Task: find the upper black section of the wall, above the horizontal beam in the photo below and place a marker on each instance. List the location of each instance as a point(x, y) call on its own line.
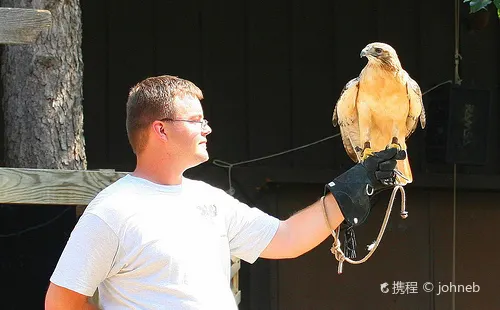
point(271, 72)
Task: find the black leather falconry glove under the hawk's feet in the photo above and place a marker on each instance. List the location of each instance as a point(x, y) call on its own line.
point(354, 188)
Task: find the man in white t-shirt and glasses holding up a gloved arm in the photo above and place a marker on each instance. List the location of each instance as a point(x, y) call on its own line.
point(157, 240)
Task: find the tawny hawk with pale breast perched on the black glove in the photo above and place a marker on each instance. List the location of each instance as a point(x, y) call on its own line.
point(379, 108)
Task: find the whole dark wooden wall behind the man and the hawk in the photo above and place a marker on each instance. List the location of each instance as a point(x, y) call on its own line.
point(271, 72)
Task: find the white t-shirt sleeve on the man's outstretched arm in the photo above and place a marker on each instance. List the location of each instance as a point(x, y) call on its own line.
point(249, 230)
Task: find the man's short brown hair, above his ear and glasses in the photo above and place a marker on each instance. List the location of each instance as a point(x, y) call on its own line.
point(155, 99)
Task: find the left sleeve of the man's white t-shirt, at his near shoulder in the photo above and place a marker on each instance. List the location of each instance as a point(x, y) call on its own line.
point(87, 257)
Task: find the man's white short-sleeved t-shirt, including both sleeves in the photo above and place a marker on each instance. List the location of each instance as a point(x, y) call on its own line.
point(151, 246)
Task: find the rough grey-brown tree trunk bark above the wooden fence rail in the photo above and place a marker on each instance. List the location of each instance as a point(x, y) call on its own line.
point(42, 92)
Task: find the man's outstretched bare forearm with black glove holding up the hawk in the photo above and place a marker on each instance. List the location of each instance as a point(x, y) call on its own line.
point(348, 201)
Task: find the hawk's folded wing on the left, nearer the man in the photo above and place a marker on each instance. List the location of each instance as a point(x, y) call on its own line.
point(345, 115)
